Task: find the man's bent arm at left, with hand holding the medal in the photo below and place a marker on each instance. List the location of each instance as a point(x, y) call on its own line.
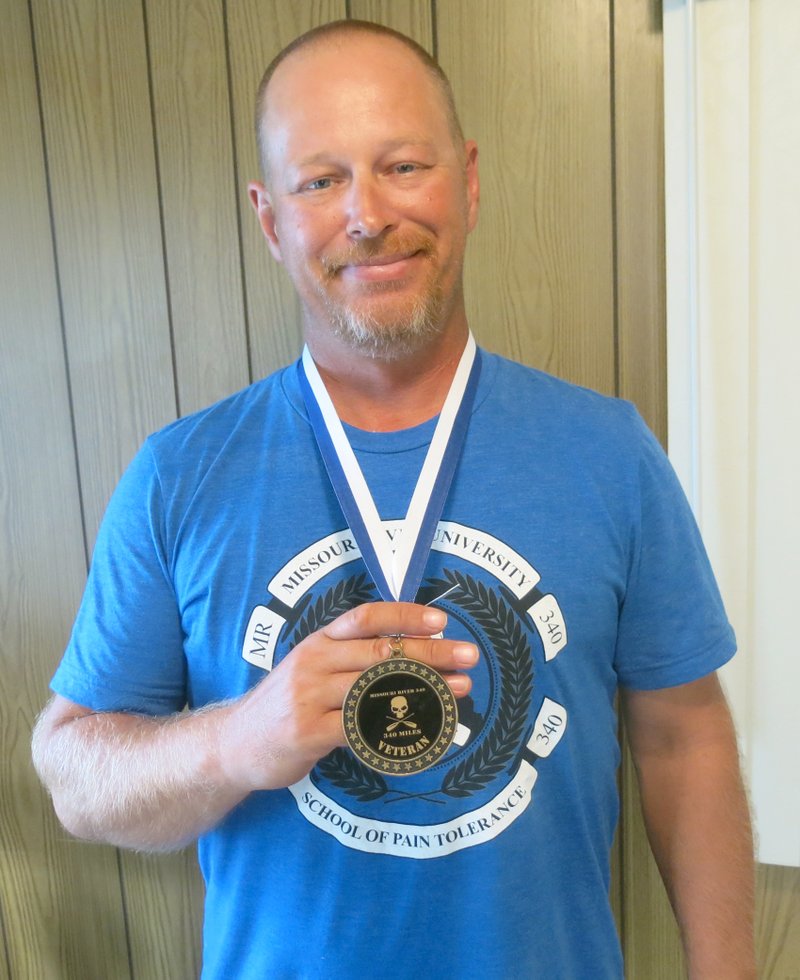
point(156, 784)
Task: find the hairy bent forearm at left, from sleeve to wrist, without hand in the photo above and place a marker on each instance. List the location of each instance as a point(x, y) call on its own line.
point(136, 781)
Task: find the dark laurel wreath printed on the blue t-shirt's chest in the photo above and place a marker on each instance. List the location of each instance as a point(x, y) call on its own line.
point(502, 629)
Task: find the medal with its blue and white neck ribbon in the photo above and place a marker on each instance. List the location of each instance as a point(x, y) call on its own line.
point(400, 716)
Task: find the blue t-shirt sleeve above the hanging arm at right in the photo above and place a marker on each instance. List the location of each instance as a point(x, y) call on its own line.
point(672, 628)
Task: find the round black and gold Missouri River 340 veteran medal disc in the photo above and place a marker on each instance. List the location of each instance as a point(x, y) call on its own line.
point(400, 716)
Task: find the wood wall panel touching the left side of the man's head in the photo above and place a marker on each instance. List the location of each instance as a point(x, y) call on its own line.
point(257, 30)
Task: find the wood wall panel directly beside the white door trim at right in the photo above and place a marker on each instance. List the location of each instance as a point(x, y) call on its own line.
point(650, 937)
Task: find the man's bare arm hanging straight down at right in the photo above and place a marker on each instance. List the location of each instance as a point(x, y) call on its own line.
point(697, 819)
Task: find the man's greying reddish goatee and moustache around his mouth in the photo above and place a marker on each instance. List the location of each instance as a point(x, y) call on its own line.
point(394, 328)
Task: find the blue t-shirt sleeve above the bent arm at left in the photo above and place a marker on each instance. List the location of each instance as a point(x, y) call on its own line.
point(126, 648)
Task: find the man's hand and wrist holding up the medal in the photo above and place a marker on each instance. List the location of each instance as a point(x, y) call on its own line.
point(273, 736)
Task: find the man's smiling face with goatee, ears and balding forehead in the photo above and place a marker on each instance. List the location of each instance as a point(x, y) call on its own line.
point(370, 196)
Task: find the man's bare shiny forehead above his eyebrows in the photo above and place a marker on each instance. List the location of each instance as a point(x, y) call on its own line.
point(373, 87)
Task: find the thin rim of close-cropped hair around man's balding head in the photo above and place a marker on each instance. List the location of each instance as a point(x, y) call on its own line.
point(336, 35)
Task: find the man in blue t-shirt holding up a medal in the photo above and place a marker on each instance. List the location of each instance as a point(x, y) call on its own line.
point(560, 562)
